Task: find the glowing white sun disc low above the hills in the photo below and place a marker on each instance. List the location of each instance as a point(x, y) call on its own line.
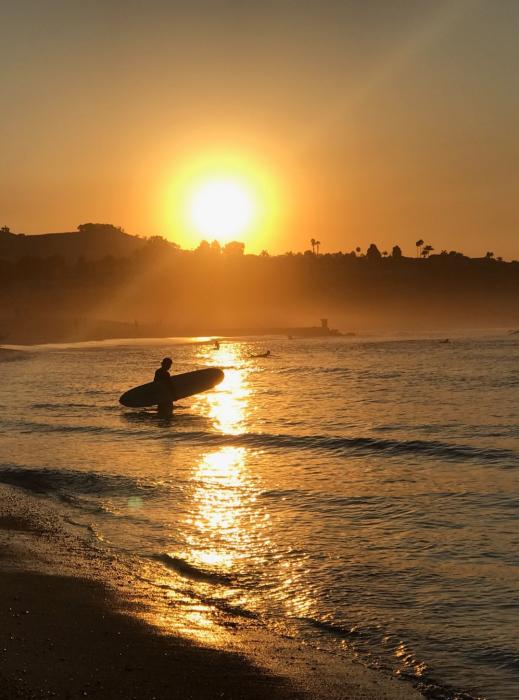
point(221, 208)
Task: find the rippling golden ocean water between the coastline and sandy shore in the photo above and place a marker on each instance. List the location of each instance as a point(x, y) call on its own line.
point(361, 494)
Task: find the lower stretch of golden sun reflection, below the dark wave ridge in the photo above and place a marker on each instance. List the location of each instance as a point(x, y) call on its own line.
point(216, 536)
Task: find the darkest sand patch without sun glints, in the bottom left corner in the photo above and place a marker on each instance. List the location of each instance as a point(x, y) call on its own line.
point(71, 638)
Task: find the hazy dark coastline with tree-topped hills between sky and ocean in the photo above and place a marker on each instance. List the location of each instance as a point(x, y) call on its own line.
point(70, 286)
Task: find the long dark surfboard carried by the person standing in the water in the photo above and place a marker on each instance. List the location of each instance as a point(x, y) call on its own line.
point(182, 386)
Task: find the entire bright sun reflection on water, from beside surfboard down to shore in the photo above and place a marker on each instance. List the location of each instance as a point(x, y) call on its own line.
point(226, 533)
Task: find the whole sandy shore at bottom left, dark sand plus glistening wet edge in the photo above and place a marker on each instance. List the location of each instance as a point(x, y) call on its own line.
point(75, 622)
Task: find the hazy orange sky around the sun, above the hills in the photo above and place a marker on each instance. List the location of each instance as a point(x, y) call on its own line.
point(356, 121)
